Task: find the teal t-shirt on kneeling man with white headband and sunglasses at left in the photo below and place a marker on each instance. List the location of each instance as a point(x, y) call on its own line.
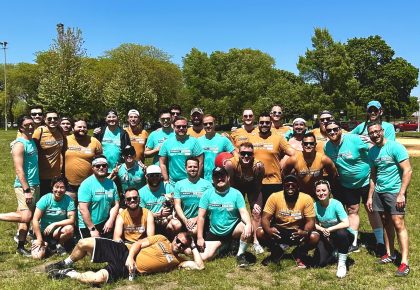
point(101, 197)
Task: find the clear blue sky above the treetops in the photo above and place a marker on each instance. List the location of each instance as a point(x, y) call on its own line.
point(282, 29)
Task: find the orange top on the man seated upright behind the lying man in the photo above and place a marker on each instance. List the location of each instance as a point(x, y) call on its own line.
point(134, 230)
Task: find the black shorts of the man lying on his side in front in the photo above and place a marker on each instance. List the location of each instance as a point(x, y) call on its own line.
point(113, 253)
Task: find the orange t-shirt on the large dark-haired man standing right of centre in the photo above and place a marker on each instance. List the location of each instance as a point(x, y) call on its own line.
point(268, 151)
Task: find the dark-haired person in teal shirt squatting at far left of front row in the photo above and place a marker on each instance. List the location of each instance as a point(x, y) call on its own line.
point(53, 222)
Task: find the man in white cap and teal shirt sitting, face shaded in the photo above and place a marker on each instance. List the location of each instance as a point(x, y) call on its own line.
point(157, 197)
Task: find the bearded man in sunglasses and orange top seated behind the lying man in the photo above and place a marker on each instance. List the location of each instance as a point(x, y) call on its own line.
point(134, 222)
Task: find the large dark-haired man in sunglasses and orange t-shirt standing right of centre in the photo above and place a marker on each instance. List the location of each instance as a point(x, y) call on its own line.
point(268, 148)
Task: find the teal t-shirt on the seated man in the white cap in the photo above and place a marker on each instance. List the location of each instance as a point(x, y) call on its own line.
point(153, 200)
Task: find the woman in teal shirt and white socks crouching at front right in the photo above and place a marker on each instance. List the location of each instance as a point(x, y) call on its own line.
point(332, 224)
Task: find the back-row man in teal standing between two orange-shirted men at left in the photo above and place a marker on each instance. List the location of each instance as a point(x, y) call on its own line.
point(113, 139)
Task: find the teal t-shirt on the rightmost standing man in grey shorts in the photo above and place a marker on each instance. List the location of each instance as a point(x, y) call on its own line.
point(386, 159)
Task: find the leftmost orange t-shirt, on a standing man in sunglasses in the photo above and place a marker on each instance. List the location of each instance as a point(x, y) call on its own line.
point(49, 155)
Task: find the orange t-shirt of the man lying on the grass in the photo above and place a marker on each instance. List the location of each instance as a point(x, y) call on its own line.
point(157, 257)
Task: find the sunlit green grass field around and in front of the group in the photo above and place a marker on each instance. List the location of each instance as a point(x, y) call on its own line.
point(17, 272)
